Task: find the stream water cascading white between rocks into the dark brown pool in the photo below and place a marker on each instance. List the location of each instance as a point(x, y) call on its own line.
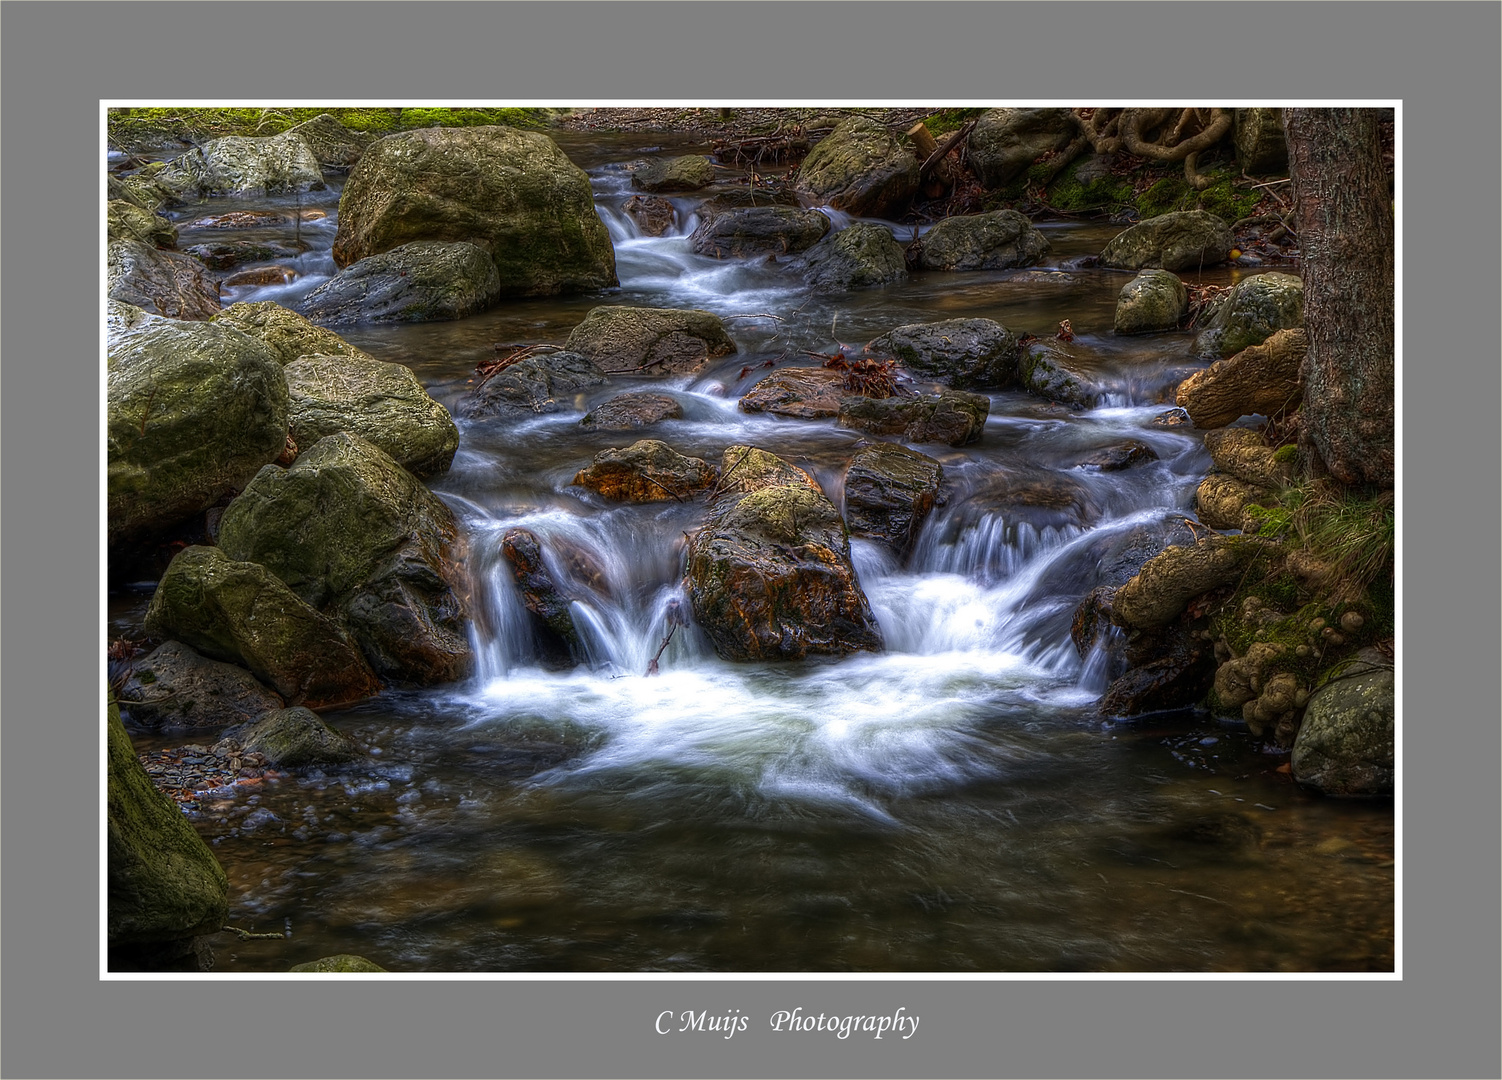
point(955, 804)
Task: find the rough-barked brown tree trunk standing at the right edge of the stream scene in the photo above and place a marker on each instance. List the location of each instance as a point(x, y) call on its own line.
point(1344, 211)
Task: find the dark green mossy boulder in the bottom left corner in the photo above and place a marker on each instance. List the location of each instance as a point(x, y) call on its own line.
point(164, 884)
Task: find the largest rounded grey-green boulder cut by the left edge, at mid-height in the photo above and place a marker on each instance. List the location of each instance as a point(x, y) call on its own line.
point(195, 411)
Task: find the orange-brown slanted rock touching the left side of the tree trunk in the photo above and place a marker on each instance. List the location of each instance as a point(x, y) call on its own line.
point(1262, 381)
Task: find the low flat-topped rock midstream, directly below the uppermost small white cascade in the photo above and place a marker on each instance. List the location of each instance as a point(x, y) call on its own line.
point(653, 342)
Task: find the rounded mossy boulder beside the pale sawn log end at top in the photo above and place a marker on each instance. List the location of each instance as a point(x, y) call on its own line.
point(861, 169)
